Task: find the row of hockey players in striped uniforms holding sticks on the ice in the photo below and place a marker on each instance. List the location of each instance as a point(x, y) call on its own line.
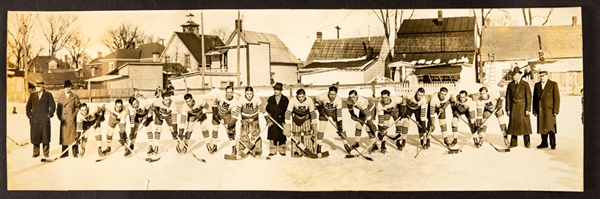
point(306, 120)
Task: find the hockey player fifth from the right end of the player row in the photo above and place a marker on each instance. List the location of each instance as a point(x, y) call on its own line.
point(388, 108)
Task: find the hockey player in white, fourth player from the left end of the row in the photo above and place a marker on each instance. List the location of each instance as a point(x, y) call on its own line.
point(164, 109)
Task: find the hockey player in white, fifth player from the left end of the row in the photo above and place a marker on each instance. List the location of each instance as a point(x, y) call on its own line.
point(191, 112)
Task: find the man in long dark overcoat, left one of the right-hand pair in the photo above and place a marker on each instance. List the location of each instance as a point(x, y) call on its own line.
point(518, 108)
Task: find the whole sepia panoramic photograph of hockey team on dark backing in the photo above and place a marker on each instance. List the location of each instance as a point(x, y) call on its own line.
point(465, 99)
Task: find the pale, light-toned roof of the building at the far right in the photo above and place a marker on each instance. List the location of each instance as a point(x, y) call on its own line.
point(521, 42)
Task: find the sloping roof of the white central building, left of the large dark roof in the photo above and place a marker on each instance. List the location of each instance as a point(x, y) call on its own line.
point(345, 48)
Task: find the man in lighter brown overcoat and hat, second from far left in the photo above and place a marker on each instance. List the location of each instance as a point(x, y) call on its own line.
point(67, 107)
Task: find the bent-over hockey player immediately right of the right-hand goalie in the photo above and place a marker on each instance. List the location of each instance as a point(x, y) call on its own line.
point(329, 104)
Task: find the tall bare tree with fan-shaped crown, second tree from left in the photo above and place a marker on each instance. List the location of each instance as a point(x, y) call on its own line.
point(58, 30)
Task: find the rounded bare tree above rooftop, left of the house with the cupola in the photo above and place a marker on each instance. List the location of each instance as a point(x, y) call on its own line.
point(124, 36)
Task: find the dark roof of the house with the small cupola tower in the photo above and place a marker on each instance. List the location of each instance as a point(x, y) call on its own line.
point(193, 43)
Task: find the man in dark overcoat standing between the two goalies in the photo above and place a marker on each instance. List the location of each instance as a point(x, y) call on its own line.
point(276, 106)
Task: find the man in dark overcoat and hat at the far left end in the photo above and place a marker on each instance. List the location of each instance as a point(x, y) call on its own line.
point(39, 109)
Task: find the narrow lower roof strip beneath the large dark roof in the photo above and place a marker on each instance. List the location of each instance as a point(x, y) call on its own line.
point(444, 57)
